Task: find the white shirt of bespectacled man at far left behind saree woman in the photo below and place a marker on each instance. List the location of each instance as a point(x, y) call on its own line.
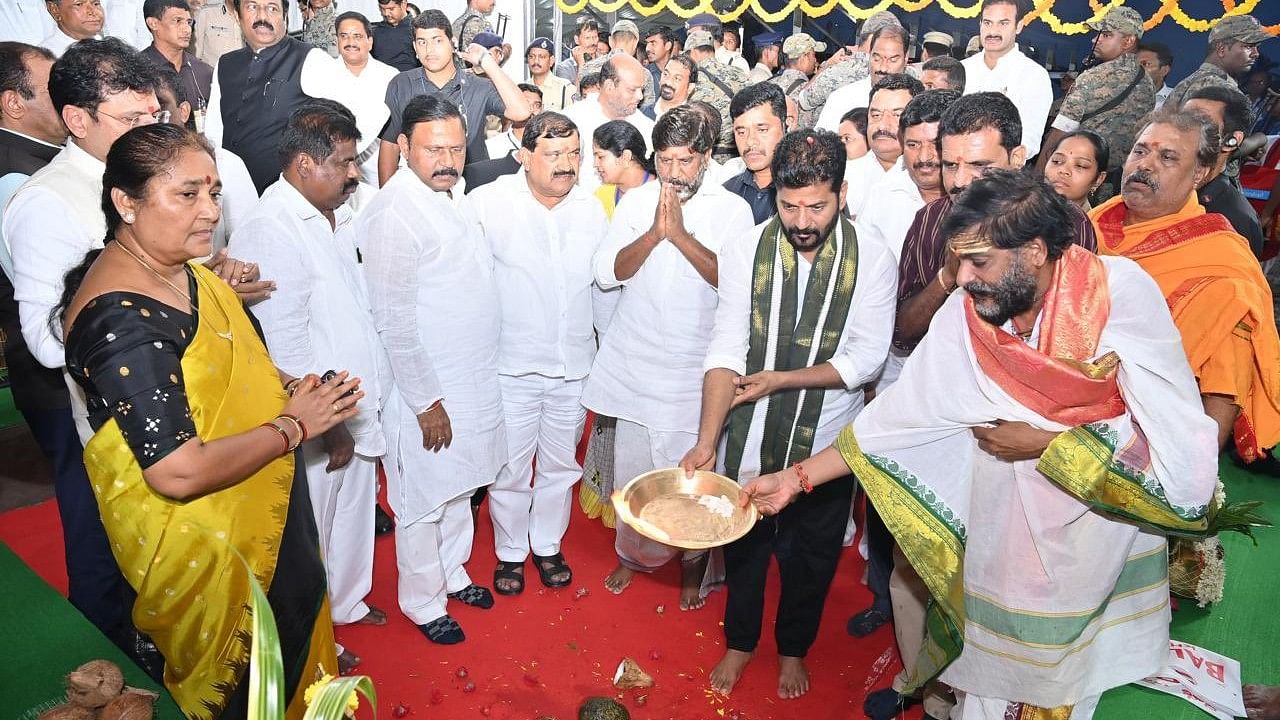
point(51, 225)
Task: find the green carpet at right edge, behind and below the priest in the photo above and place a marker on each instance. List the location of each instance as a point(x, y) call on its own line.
point(1241, 627)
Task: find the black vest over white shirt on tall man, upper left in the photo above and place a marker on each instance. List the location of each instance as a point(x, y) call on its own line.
point(259, 93)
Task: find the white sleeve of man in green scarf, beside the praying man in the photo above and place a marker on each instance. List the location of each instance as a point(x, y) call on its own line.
point(732, 336)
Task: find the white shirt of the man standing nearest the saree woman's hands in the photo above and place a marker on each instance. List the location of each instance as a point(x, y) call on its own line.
point(318, 318)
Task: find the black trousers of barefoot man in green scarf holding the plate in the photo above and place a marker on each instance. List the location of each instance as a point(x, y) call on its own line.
point(807, 540)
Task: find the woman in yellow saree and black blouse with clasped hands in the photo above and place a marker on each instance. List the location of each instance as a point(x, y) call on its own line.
point(193, 458)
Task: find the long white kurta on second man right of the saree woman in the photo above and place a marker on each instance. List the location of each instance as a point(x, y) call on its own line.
point(436, 308)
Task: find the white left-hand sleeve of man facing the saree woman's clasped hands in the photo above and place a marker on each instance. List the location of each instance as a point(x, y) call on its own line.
point(286, 316)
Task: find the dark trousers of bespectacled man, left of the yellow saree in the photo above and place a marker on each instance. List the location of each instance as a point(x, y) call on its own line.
point(94, 580)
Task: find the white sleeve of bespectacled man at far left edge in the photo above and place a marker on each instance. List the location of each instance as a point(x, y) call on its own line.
point(45, 240)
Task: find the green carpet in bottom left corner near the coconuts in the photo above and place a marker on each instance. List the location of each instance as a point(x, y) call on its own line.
point(47, 639)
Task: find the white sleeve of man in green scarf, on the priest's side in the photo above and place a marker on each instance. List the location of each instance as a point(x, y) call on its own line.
point(870, 327)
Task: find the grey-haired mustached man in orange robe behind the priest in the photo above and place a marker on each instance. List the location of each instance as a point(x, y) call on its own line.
point(1220, 300)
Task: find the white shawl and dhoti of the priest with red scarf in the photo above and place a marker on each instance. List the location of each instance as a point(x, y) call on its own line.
point(1062, 601)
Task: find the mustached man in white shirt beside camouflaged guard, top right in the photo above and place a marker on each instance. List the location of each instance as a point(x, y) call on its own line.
point(1003, 69)
